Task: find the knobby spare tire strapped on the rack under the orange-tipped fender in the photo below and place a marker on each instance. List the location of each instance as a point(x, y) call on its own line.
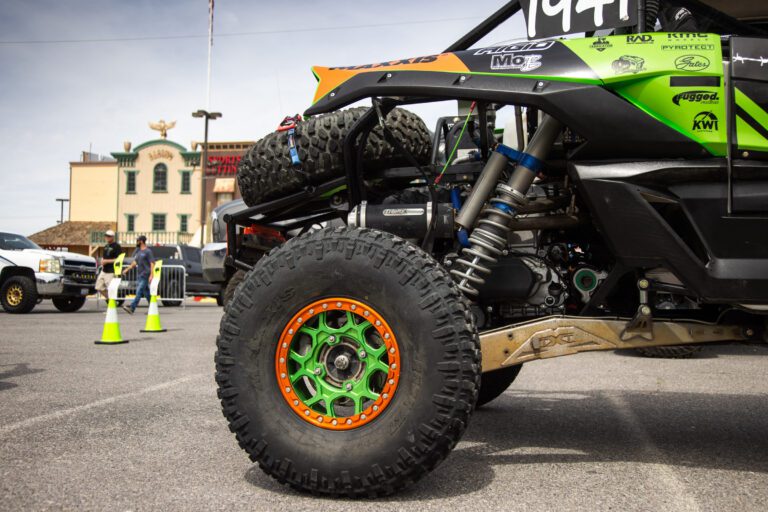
point(265, 172)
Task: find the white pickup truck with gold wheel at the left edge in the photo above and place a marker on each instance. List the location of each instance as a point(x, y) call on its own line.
point(29, 274)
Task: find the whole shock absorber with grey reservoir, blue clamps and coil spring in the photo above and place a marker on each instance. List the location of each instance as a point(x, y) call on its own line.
point(488, 239)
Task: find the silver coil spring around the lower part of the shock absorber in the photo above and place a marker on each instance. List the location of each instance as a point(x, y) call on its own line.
point(487, 241)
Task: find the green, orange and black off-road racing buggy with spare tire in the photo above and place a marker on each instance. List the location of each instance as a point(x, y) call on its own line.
point(625, 205)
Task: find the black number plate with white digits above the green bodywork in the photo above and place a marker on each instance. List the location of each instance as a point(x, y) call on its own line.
point(547, 18)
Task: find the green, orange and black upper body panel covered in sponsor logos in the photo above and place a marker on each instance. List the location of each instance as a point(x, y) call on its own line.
point(676, 78)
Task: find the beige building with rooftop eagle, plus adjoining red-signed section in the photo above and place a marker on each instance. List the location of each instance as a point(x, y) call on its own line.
point(153, 189)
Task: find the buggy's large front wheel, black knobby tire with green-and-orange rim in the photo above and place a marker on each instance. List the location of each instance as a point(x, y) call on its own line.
point(347, 363)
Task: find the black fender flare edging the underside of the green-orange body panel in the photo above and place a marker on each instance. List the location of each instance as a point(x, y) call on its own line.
point(623, 131)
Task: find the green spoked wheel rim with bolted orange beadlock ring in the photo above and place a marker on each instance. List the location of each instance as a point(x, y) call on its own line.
point(337, 364)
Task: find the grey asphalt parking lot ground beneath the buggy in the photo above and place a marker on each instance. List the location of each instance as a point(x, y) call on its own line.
point(138, 427)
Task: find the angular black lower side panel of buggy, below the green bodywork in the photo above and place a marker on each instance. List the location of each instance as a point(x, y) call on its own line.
point(719, 258)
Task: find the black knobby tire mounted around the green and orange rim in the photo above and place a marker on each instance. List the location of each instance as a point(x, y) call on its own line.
point(439, 361)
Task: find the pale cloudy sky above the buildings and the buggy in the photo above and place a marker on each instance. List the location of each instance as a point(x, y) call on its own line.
point(86, 74)
